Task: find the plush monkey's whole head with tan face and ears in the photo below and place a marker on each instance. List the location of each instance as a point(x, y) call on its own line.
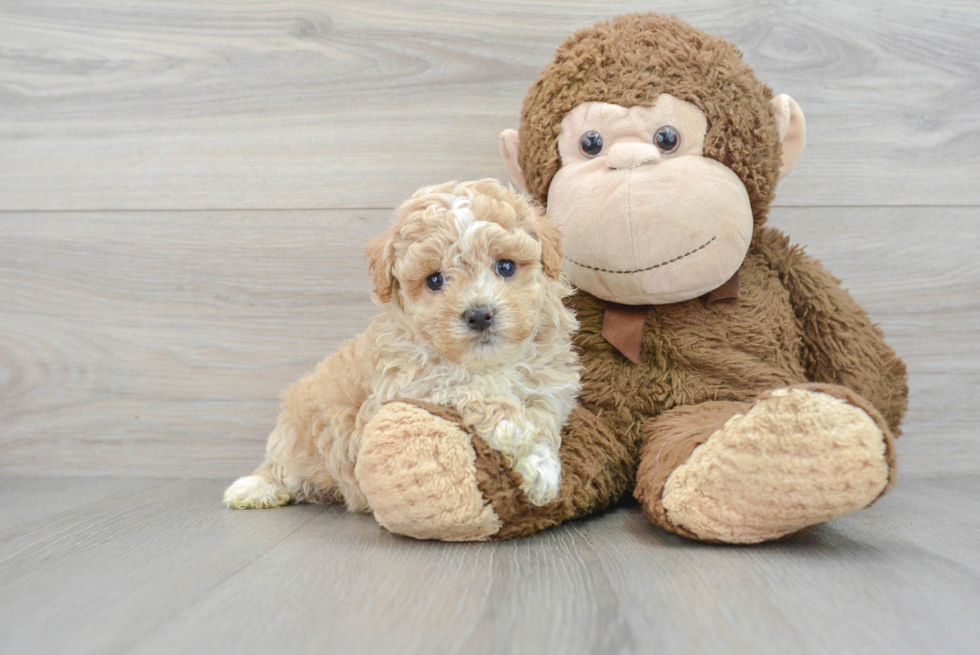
point(656, 151)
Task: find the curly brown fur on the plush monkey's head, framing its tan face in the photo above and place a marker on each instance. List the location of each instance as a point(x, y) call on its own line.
point(632, 59)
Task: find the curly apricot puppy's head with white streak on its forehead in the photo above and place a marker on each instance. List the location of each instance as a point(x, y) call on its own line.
point(471, 269)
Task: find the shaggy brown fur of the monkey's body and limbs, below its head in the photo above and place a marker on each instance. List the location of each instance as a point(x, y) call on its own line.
point(703, 359)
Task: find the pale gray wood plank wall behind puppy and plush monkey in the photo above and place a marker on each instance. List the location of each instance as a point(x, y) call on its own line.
point(185, 188)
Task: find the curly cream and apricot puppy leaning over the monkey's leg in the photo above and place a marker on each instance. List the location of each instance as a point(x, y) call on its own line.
point(469, 285)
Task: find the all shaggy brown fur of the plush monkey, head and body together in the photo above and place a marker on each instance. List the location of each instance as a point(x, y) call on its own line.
point(792, 324)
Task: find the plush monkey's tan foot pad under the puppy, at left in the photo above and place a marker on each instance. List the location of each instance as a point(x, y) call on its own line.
point(417, 471)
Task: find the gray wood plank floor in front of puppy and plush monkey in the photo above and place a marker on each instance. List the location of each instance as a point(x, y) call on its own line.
point(159, 566)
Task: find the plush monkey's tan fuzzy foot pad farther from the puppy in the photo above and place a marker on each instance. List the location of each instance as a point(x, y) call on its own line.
point(798, 457)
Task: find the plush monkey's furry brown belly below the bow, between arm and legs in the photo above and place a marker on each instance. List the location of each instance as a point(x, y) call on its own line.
point(694, 351)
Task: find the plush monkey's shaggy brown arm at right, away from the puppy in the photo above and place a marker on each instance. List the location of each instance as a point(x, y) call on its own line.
point(840, 343)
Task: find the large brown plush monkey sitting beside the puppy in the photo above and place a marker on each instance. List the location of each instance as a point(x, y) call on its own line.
point(729, 382)
